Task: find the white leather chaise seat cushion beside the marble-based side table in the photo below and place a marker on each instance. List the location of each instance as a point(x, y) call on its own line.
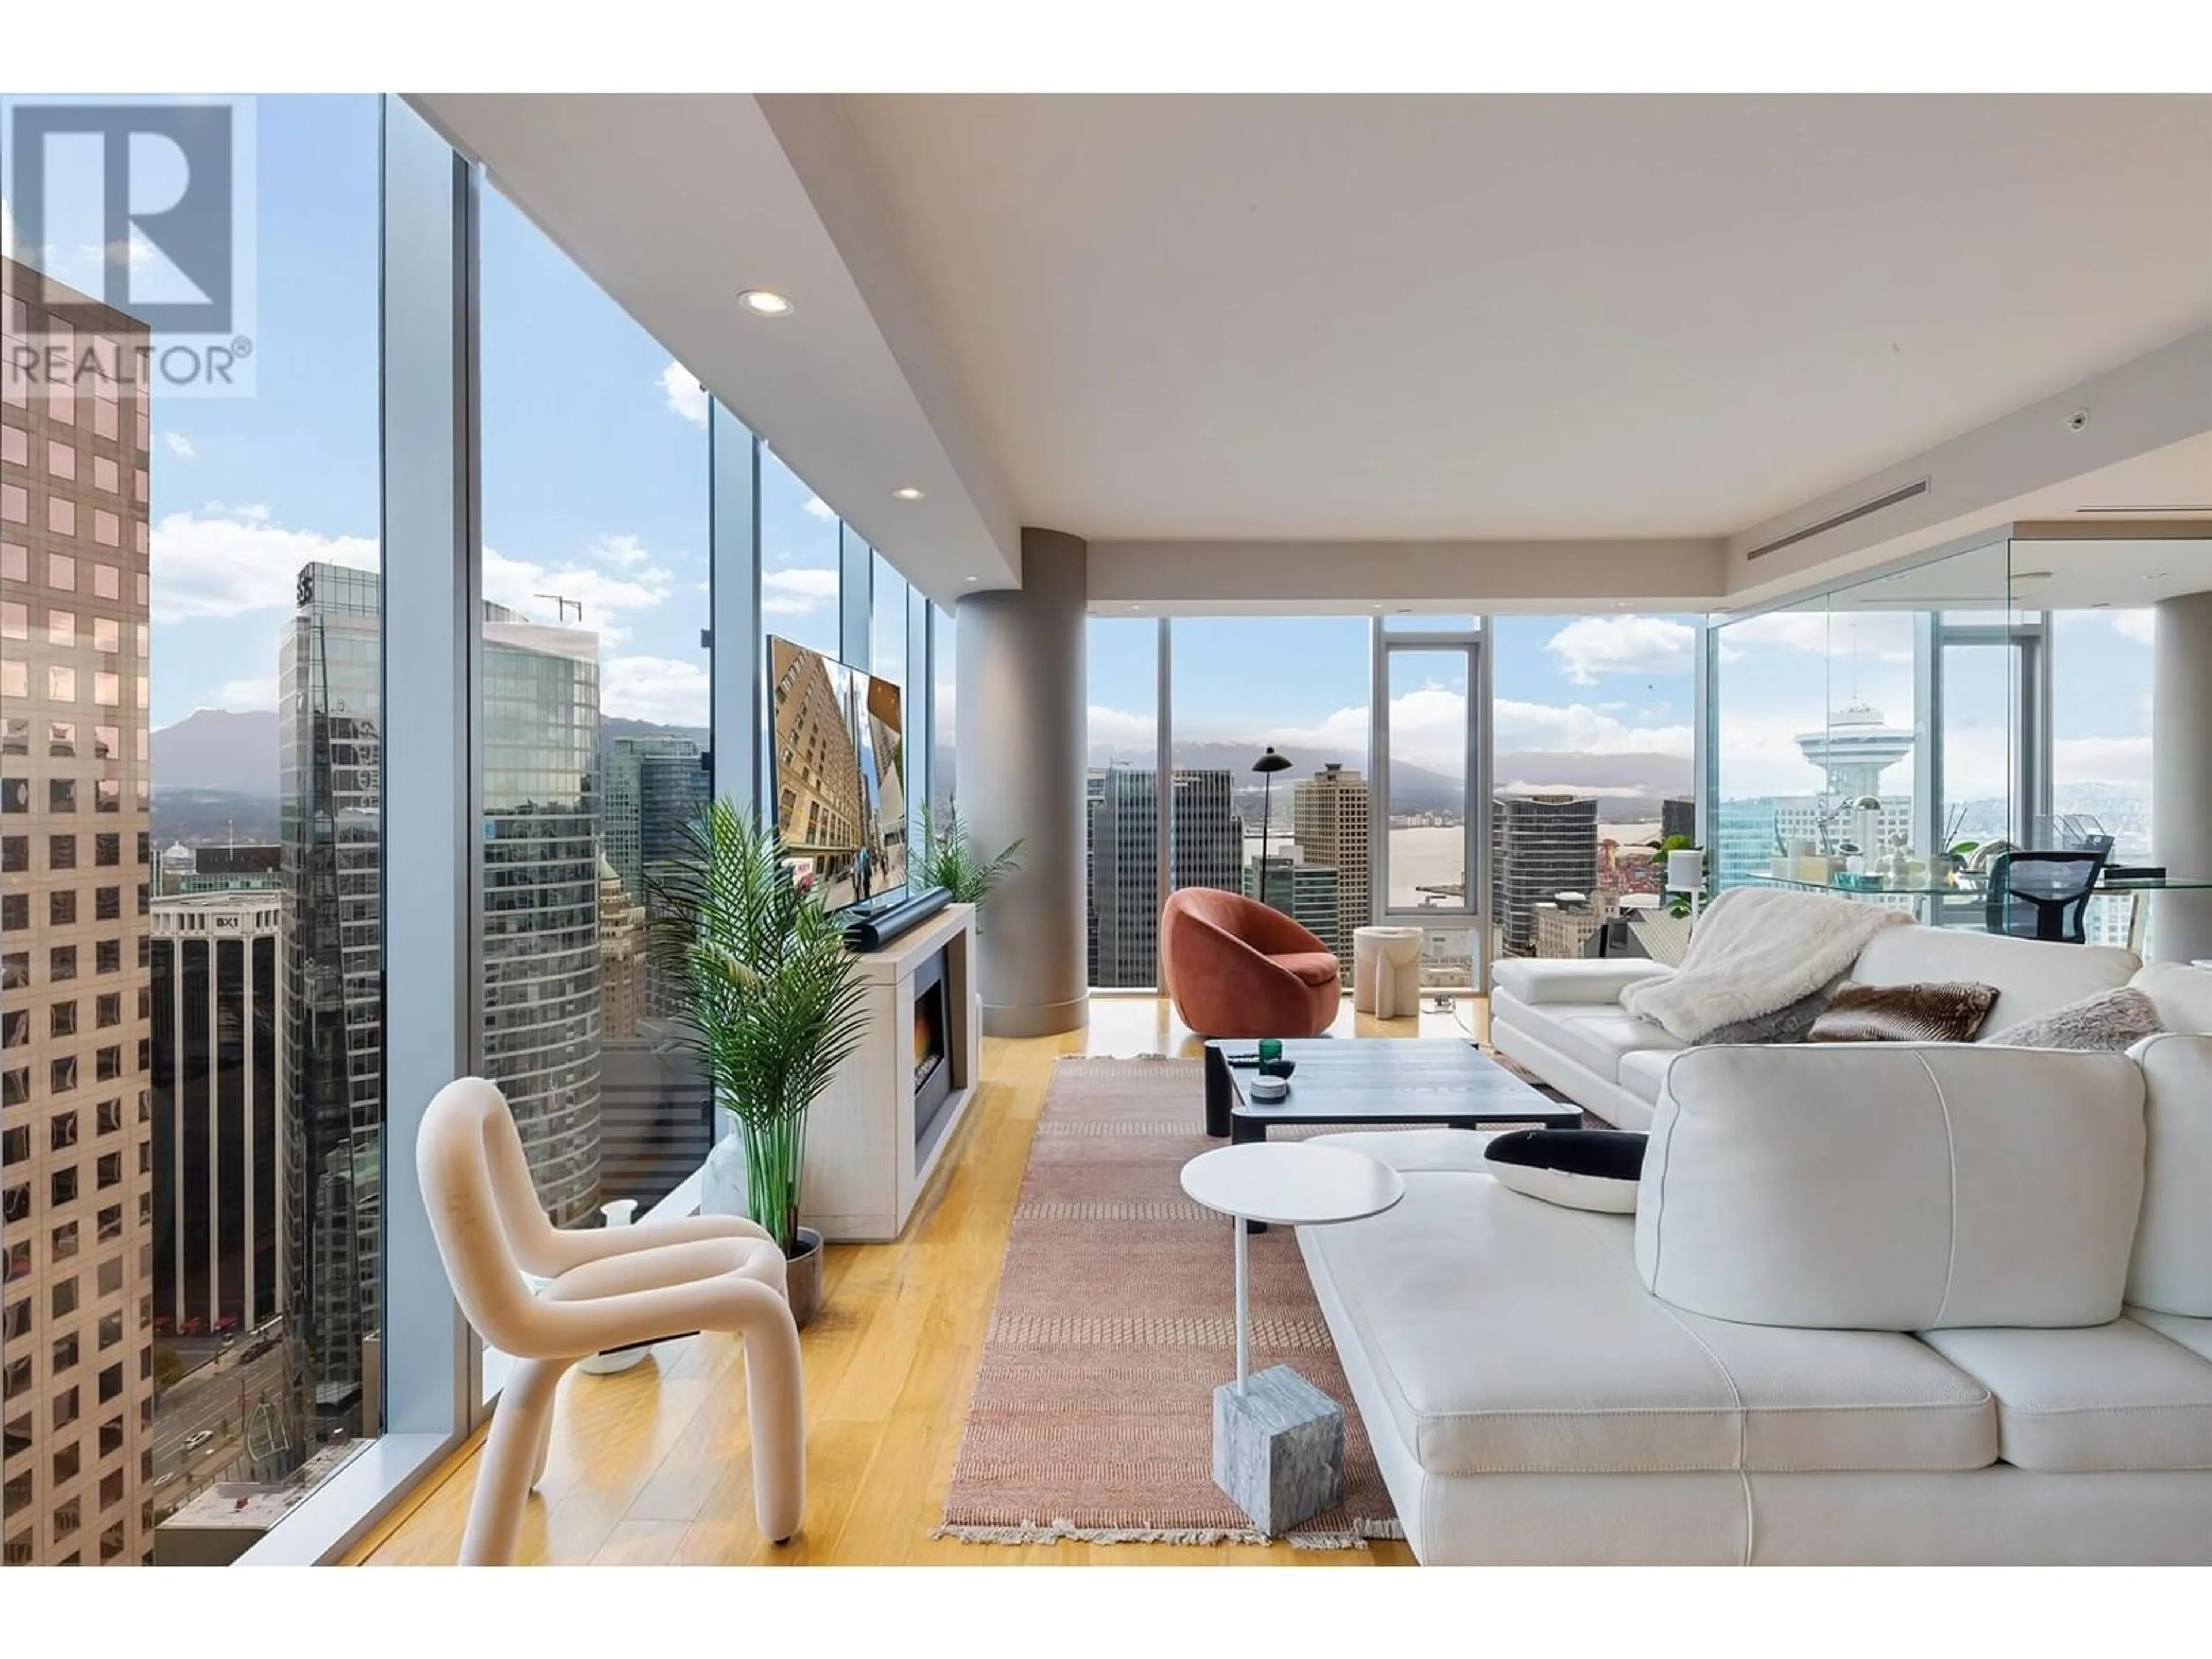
point(1510, 1335)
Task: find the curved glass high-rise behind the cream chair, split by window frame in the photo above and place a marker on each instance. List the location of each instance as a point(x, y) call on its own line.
point(541, 744)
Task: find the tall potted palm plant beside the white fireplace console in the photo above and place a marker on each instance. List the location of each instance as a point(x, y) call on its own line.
point(775, 1008)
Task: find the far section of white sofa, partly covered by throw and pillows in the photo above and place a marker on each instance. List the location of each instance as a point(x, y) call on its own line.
point(1565, 1023)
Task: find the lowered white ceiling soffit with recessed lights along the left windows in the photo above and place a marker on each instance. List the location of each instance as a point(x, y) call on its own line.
point(676, 205)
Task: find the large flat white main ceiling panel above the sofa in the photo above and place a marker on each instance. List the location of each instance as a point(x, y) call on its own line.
point(1521, 317)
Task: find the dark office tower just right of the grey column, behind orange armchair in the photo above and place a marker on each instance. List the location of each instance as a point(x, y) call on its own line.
point(1207, 842)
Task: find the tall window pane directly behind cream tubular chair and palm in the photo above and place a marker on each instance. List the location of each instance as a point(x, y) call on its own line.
point(594, 720)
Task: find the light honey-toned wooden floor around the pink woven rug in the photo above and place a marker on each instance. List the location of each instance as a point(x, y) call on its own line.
point(654, 1468)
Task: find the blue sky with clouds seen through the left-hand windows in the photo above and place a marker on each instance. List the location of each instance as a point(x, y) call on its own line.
point(596, 452)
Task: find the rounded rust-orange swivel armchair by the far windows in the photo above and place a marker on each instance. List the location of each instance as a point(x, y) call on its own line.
point(1242, 970)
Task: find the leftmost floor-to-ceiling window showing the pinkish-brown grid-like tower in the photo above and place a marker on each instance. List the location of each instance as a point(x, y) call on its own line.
point(191, 782)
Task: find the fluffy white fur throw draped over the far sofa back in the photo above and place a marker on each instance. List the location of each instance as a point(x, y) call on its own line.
point(1757, 950)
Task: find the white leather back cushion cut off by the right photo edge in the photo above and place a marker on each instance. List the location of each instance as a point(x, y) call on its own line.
point(2173, 1242)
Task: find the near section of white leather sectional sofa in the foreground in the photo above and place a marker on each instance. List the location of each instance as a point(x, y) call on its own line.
point(1914, 1302)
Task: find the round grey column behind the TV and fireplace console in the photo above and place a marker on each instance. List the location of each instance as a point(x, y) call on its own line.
point(1019, 711)
